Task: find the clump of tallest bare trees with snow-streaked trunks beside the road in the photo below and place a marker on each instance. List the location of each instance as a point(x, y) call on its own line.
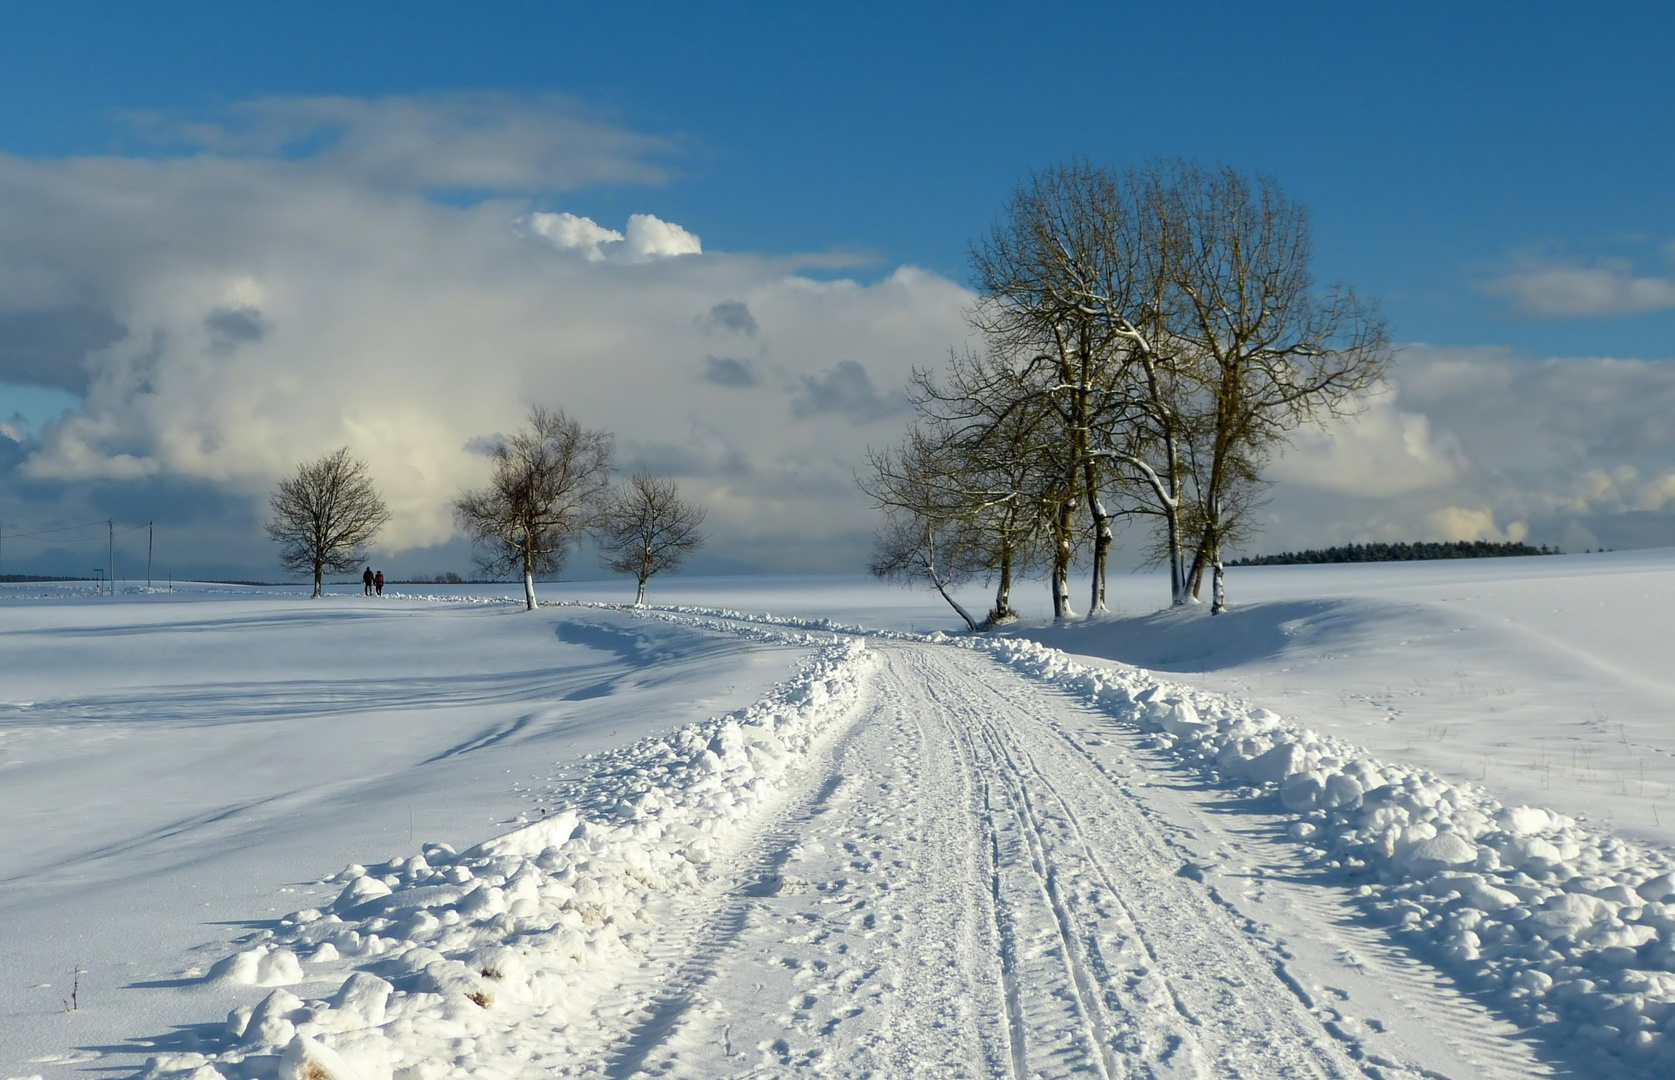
point(1170, 322)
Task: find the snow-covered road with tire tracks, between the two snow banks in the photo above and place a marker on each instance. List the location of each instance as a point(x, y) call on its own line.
point(974, 883)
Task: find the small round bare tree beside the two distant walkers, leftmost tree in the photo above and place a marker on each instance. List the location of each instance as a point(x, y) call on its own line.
point(326, 517)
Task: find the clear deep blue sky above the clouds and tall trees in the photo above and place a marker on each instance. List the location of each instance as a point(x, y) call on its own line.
point(1440, 147)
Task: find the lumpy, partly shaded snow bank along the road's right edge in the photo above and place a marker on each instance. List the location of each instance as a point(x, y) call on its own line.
point(1567, 930)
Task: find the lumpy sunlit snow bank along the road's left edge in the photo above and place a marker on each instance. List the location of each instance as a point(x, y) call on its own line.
point(492, 960)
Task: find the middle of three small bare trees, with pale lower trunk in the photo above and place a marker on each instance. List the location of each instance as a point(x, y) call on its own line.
point(545, 490)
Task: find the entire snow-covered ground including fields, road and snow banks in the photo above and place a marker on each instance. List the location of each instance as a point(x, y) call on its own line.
point(1388, 821)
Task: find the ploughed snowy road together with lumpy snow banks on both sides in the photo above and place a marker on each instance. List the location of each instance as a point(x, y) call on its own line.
point(986, 861)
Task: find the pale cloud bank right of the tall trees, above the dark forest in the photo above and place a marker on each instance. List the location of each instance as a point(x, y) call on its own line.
point(1570, 451)
